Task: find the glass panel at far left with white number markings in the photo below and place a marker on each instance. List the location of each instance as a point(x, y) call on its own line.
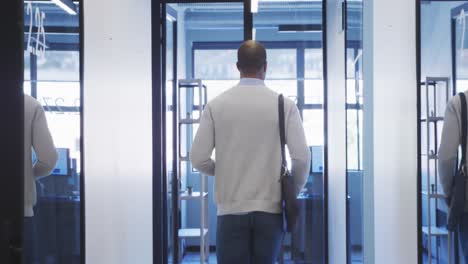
point(52, 77)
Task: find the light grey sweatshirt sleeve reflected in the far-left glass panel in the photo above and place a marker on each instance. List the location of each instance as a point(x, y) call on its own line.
point(37, 137)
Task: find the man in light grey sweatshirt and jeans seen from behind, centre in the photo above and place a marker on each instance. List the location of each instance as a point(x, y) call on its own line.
point(242, 125)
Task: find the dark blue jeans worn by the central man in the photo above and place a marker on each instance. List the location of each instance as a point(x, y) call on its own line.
point(254, 238)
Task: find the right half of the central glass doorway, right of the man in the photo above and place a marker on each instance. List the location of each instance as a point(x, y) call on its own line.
point(293, 33)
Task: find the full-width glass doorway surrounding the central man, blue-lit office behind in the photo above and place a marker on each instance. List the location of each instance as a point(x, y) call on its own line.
point(201, 42)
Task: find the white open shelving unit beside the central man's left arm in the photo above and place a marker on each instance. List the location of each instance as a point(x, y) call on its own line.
point(195, 98)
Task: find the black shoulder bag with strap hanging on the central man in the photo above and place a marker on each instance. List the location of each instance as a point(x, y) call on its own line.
point(289, 201)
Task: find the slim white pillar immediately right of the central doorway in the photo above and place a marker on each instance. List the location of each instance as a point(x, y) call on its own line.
point(336, 105)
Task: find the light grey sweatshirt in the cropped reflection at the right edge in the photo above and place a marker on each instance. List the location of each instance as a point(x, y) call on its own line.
point(451, 140)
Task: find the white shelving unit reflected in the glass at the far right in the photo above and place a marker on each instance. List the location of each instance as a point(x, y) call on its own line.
point(432, 120)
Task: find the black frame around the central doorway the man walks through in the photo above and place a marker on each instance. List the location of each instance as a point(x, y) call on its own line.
point(158, 11)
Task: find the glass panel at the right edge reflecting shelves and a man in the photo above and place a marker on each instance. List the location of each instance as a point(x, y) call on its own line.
point(442, 73)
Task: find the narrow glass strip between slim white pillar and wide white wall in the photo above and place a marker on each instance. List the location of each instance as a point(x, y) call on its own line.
point(354, 126)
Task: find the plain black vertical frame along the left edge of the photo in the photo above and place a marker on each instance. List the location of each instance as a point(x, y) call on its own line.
point(12, 146)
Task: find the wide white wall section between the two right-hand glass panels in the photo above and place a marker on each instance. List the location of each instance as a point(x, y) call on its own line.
point(390, 136)
